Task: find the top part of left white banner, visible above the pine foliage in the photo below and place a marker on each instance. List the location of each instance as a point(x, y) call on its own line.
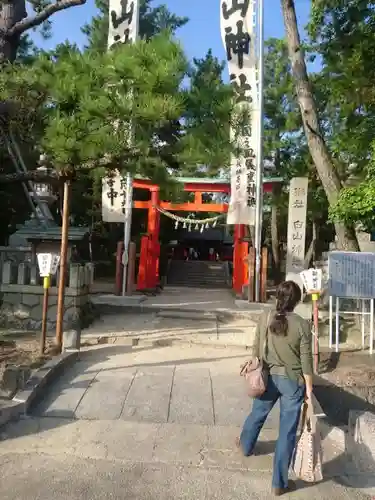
point(123, 21)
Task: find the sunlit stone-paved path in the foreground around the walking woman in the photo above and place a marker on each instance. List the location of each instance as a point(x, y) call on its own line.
point(148, 423)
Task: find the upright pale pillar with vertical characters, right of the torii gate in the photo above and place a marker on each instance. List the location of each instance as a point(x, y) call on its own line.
point(296, 228)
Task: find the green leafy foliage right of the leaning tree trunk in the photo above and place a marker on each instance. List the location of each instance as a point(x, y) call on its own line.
point(344, 36)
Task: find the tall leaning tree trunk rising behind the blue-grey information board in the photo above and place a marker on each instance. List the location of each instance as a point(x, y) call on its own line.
point(346, 236)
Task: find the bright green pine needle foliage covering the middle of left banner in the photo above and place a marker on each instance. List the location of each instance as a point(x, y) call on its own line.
point(87, 96)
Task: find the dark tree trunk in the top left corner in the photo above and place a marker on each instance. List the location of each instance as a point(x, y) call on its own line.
point(11, 12)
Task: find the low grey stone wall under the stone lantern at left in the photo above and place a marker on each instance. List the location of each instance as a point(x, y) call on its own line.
point(21, 297)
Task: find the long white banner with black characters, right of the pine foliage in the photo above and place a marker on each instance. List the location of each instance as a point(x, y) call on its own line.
point(239, 36)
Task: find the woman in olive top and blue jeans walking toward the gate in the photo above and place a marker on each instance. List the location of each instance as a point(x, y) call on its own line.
point(286, 341)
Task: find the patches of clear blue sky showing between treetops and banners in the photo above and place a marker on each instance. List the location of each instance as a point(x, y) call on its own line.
point(200, 34)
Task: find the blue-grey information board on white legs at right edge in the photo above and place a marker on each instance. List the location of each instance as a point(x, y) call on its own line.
point(351, 275)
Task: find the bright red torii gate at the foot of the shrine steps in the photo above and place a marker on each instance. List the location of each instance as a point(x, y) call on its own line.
point(148, 277)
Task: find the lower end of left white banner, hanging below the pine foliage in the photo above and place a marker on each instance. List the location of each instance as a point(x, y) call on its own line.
point(115, 198)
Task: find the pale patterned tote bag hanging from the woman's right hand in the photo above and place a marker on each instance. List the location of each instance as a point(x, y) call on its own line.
point(307, 464)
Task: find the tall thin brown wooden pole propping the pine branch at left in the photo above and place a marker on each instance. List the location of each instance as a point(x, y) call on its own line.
point(63, 265)
